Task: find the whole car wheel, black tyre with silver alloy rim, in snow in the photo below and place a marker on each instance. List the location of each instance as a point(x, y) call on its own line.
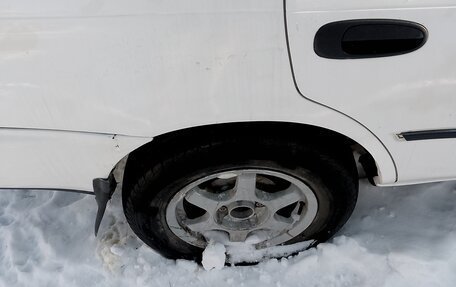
point(260, 197)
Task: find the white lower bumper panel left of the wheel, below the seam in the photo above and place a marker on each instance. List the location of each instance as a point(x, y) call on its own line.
point(60, 159)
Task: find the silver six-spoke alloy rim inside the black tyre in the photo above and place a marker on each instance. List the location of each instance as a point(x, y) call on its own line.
point(245, 206)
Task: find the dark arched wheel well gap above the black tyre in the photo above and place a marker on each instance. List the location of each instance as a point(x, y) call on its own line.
point(342, 146)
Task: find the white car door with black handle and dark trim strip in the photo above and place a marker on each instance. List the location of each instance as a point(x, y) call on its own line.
point(392, 94)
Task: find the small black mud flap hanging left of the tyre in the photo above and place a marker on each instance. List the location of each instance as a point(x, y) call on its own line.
point(103, 189)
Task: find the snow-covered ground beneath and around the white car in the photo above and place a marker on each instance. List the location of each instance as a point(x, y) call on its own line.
point(396, 237)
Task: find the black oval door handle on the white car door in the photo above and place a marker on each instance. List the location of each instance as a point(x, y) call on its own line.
point(370, 38)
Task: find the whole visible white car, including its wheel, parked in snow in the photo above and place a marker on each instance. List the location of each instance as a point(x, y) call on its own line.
point(238, 121)
